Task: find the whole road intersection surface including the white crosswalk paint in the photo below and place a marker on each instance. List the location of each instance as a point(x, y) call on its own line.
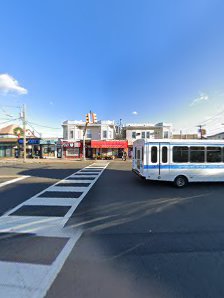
point(93, 229)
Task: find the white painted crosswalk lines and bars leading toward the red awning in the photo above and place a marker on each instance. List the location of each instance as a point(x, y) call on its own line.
point(45, 226)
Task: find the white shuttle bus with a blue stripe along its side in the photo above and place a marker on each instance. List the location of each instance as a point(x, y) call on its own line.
point(179, 161)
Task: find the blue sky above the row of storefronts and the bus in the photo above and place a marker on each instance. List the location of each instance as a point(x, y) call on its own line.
point(161, 59)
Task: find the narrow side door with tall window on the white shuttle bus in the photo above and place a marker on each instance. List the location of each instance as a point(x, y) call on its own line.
point(164, 162)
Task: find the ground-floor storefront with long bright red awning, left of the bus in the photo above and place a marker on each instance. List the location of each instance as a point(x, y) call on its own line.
point(112, 149)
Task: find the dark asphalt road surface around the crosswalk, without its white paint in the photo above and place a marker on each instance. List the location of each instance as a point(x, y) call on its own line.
point(136, 238)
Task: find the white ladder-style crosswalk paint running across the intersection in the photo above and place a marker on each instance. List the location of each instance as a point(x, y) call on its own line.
point(35, 280)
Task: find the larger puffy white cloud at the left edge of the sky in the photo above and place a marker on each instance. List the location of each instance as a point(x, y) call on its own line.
point(9, 85)
